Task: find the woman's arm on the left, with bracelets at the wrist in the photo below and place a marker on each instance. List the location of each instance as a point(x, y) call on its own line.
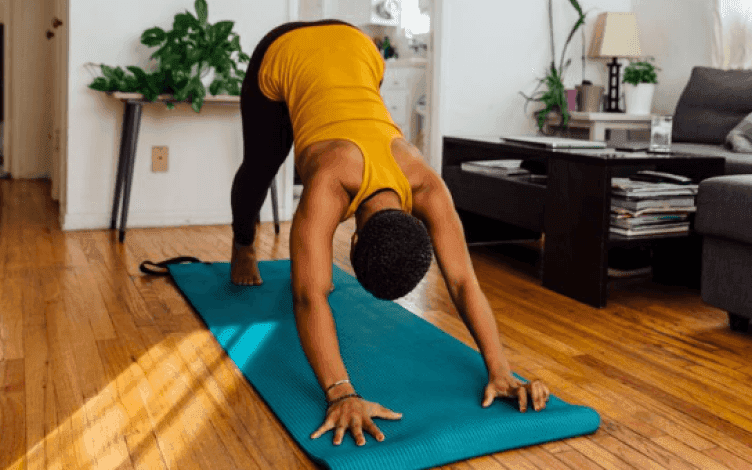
point(321, 206)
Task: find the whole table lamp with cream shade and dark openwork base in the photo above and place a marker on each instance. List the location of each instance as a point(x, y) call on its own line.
point(615, 36)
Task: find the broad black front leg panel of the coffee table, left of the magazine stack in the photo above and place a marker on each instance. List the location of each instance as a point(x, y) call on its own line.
point(577, 229)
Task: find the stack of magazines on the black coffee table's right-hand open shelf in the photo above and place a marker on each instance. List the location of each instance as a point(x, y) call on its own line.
point(641, 208)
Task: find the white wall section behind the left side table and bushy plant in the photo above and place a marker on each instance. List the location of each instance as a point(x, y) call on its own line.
point(205, 149)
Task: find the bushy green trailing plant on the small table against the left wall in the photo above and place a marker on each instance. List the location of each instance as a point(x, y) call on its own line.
point(190, 52)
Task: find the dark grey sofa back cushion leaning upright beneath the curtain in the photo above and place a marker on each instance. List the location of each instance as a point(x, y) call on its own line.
point(713, 102)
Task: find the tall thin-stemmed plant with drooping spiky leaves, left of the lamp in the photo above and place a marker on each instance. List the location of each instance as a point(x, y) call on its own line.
point(554, 96)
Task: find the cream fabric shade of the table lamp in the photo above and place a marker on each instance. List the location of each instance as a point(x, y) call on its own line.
point(615, 35)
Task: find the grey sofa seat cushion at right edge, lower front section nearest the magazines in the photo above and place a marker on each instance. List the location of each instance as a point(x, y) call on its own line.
point(723, 207)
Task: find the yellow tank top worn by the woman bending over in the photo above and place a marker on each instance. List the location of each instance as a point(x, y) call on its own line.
point(329, 76)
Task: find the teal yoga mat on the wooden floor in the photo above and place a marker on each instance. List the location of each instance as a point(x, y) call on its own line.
point(393, 357)
